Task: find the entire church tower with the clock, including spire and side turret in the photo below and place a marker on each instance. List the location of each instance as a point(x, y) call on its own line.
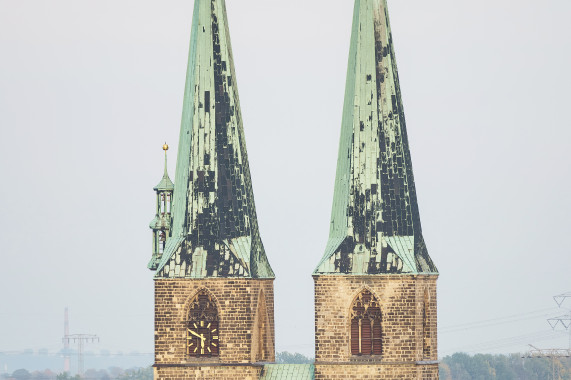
point(213, 283)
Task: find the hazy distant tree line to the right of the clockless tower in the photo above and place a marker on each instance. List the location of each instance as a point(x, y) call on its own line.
point(503, 367)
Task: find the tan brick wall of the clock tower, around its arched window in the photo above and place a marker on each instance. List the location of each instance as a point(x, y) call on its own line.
point(244, 322)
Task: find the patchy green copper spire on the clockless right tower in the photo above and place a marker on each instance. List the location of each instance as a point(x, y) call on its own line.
point(375, 223)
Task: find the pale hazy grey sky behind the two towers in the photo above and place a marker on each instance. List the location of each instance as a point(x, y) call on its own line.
point(90, 90)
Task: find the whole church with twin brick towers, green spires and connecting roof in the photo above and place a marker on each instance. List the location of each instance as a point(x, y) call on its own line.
point(375, 287)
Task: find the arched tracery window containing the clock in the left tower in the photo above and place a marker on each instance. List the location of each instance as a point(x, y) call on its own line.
point(202, 336)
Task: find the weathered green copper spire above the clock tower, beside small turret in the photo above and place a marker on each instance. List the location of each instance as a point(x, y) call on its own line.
point(214, 229)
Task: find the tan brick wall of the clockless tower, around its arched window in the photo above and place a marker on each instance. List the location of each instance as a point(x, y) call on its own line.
point(407, 352)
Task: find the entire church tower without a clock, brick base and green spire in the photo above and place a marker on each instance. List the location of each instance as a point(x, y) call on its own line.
point(375, 287)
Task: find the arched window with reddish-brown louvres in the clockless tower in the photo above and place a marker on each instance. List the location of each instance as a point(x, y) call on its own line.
point(366, 329)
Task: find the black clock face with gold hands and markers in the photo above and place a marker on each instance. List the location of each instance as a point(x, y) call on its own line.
point(202, 338)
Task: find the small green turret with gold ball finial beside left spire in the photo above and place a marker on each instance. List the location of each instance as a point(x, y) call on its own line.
point(162, 221)
